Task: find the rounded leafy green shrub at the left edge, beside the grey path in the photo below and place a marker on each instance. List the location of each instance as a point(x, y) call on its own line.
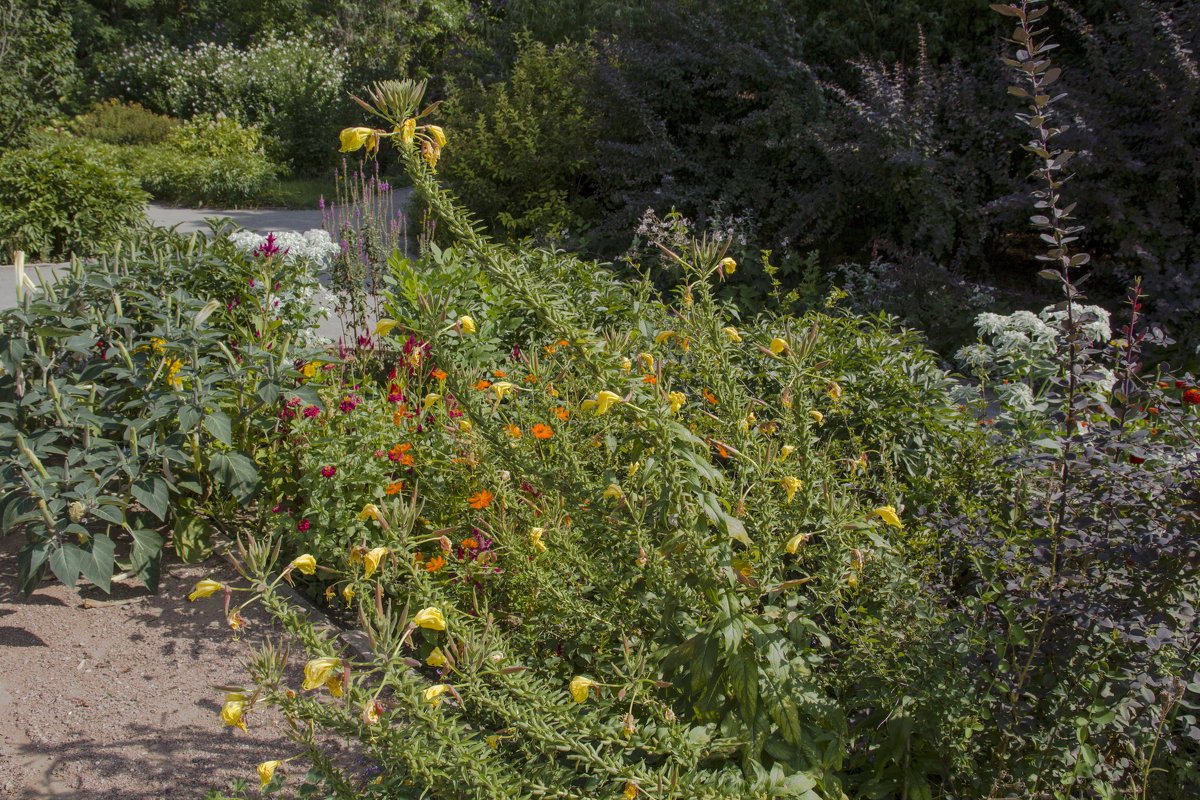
point(58, 200)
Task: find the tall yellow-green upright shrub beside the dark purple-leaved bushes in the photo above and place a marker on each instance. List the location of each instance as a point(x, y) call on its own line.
point(523, 147)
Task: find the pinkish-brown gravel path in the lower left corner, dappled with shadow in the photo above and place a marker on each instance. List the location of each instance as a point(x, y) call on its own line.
point(116, 703)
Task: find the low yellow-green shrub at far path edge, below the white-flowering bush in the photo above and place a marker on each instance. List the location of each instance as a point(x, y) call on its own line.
point(209, 161)
